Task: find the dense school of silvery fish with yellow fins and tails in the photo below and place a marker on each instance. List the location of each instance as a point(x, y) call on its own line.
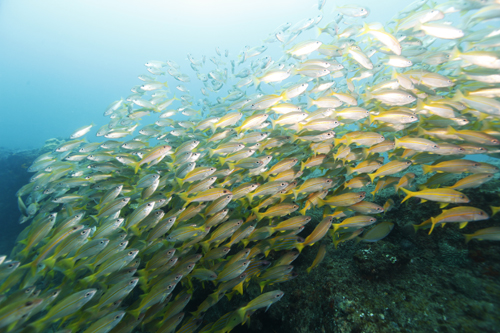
point(123, 235)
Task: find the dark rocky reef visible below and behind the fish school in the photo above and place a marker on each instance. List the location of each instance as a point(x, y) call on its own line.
point(408, 282)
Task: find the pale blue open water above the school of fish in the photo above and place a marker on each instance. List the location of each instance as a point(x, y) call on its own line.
point(64, 62)
